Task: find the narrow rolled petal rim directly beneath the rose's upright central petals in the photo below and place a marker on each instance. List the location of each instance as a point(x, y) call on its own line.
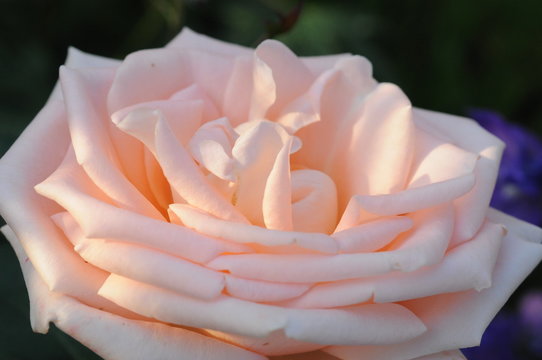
point(251, 234)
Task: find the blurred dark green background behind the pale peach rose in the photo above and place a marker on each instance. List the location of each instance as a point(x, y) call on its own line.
point(446, 55)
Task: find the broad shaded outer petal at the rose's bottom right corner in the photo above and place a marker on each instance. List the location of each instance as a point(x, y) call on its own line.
point(458, 320)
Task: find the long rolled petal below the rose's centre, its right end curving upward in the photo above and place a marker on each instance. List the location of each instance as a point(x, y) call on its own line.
point(424, 246)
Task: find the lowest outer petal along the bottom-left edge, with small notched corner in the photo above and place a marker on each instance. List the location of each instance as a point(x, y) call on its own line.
point(114, 337)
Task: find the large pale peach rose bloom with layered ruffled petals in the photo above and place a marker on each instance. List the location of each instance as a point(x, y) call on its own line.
point(210, 201)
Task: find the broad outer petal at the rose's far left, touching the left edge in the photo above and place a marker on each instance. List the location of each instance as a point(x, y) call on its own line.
point(33, 156)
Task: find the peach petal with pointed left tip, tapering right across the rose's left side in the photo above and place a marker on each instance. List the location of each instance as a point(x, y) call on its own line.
point(70, 187)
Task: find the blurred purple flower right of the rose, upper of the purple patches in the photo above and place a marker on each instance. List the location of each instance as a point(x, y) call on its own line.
point(518, 190)
